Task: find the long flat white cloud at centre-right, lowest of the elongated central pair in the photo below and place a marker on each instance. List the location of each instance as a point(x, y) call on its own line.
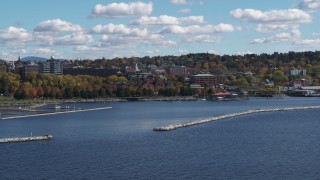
point(196, 29)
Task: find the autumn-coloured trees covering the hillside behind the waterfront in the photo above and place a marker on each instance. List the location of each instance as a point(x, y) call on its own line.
point(248, 71)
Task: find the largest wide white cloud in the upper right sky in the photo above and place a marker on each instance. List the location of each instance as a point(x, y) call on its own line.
point(289, 15)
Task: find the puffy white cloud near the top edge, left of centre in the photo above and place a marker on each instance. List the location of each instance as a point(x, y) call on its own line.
point(115, 10)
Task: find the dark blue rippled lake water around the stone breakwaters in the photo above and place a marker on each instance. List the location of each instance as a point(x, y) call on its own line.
point(119, 143)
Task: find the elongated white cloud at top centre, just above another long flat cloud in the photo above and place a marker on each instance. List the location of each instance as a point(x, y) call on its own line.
point(168, 20)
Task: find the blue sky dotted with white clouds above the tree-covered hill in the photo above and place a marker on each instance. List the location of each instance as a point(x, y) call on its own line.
point(81, 29)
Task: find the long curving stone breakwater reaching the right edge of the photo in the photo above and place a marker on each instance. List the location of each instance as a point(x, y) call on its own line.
point(215, 118)
